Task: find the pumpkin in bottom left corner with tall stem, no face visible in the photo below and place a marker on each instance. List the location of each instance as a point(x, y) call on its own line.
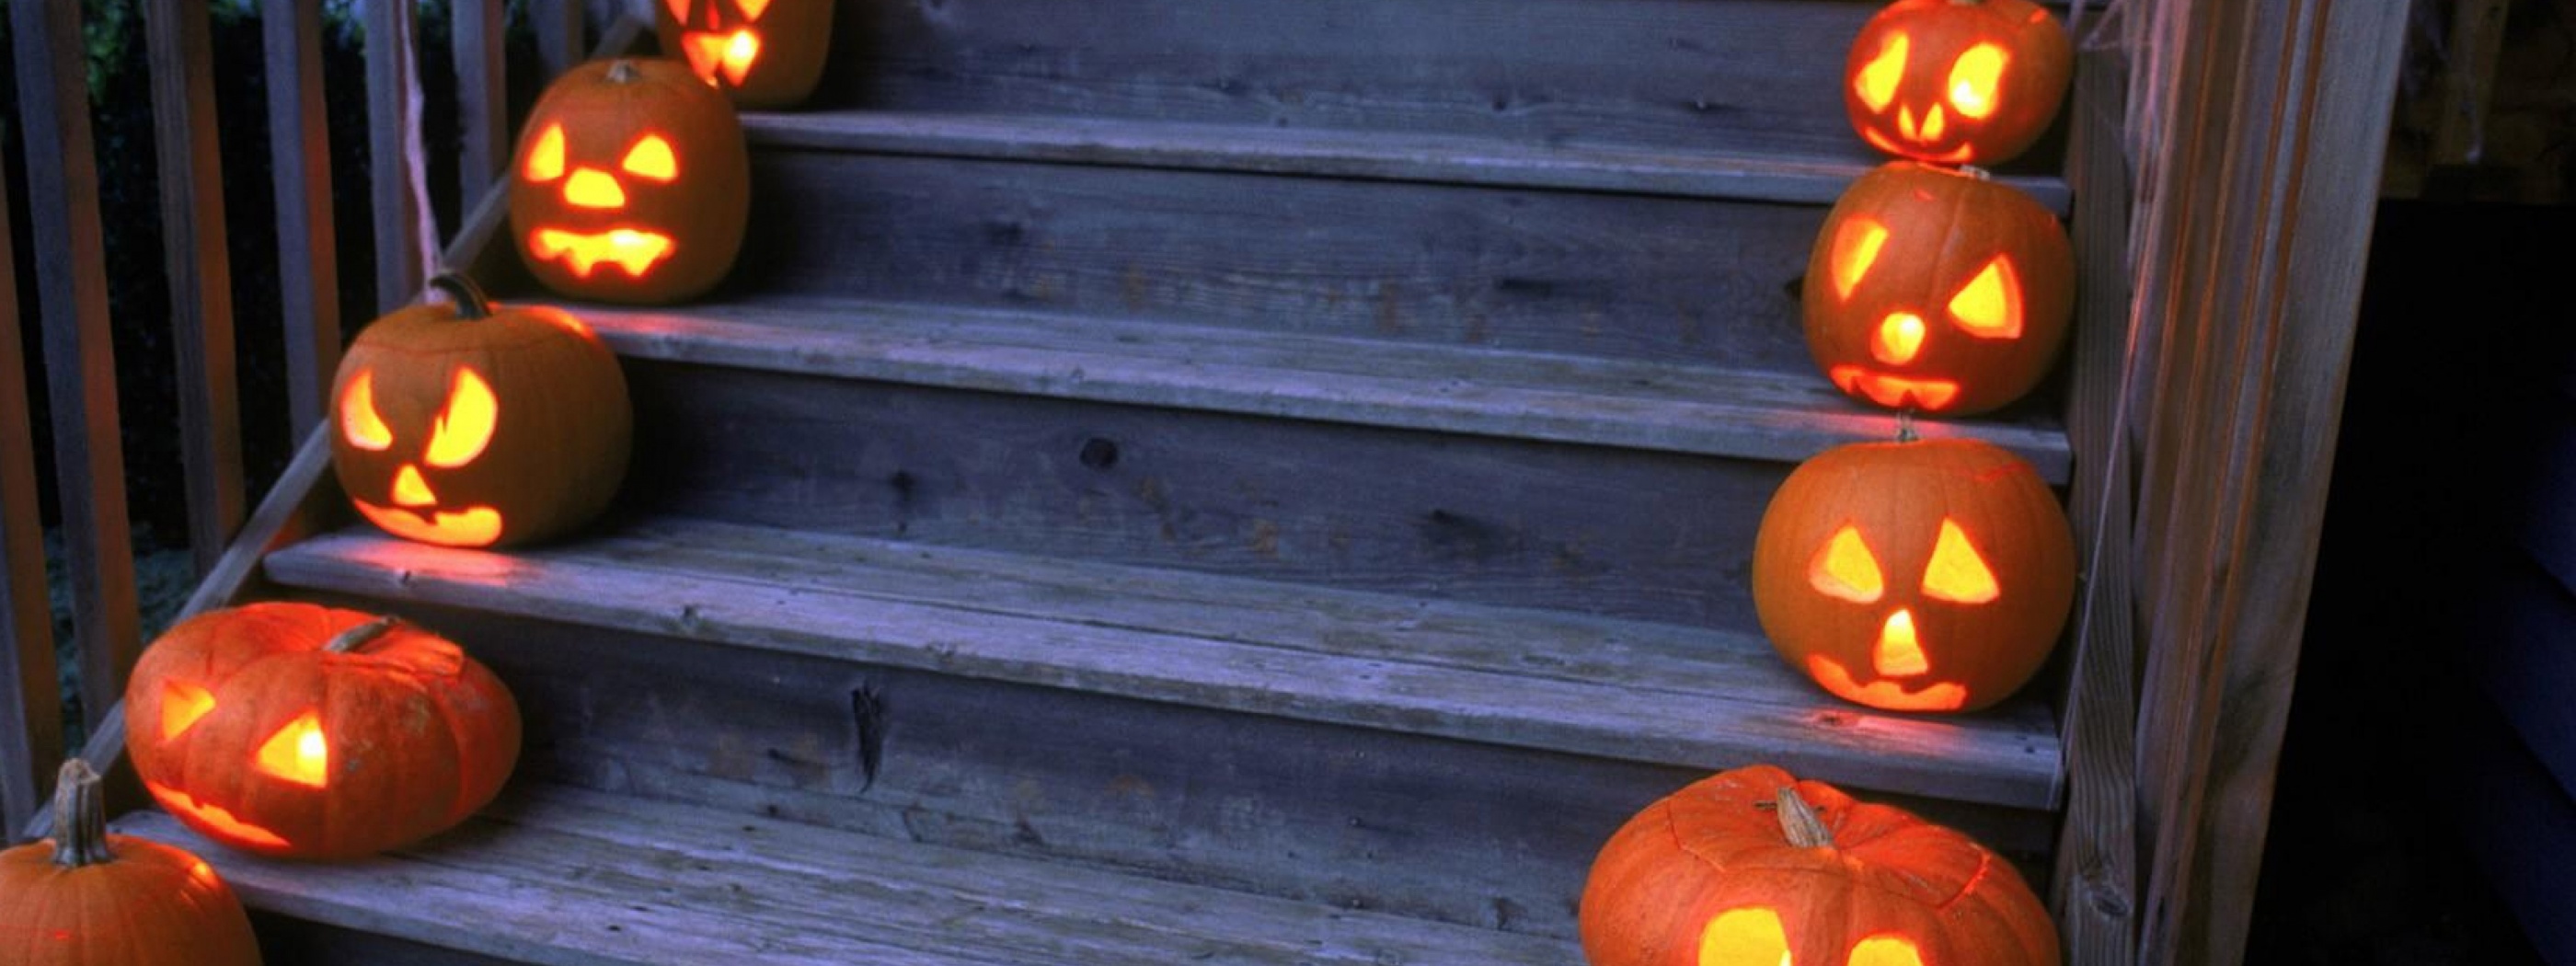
point(89, 898)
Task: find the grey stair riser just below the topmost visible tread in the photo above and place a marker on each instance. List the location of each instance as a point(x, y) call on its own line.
point(1671, 279)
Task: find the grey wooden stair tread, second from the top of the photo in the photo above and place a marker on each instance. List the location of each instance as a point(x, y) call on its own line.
point(1307, 377)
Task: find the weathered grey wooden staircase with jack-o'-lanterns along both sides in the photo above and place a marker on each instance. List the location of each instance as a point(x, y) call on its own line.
point(1243, 483)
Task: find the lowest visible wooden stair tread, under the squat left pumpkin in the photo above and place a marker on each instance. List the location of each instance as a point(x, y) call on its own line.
point(571, 877)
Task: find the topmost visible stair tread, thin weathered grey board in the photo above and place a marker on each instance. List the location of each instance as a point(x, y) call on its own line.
point(1385, 156)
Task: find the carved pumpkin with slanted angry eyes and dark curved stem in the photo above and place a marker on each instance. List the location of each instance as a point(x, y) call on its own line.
point(470, 424)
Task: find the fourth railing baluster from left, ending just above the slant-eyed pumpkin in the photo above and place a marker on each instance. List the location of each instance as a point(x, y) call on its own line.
point(300, 182)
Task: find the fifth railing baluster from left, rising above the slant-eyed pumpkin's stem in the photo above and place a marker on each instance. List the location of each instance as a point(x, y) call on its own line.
point(388, 120)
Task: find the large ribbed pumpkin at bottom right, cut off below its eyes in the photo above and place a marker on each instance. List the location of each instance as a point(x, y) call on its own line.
point(1761, 869)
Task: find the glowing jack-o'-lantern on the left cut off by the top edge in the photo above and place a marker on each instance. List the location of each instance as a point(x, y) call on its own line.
point(761, 53)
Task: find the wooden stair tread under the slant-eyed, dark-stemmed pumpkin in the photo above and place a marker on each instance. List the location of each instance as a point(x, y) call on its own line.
point(1495, 676)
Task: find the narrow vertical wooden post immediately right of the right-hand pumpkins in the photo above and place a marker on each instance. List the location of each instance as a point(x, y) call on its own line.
point(2098, 846)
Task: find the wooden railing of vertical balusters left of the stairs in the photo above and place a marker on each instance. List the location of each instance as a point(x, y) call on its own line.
point(71, 285)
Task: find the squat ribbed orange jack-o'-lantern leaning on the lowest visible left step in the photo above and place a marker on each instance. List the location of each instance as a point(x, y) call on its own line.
point(316, 733)
